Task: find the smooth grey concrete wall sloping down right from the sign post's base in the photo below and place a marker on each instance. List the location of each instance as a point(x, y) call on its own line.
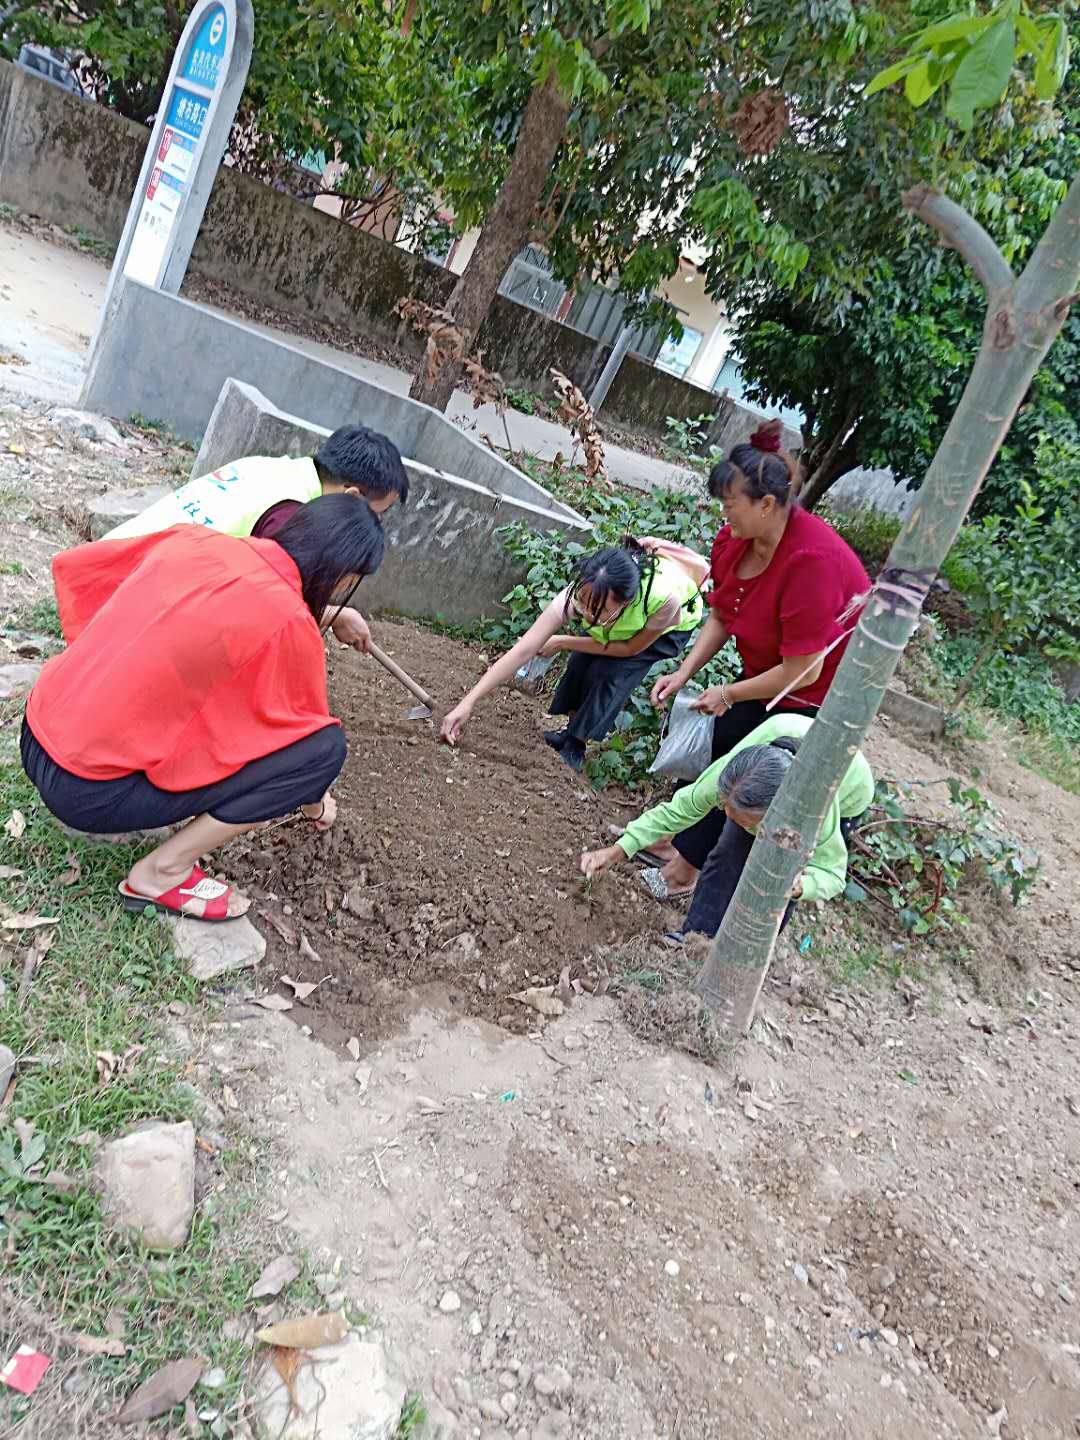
point(136, 368)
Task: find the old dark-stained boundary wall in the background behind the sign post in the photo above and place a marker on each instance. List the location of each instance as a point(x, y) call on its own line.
point(76, 163)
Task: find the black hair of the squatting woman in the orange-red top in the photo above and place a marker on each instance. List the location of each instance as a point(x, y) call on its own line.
point(329, 539)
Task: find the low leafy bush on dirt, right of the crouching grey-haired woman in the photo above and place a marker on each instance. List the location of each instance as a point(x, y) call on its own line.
point(914, 866)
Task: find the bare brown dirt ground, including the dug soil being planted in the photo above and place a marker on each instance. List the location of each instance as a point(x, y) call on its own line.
point(860, 1223)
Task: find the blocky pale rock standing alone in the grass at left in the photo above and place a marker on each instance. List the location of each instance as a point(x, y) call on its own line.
point(148, 1183)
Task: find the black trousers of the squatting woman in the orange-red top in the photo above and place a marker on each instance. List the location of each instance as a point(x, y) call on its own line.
point(274, 786)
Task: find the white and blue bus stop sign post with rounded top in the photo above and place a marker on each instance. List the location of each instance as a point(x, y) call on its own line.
point(186, 146)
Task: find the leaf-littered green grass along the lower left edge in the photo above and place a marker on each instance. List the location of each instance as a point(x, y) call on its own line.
point(102, 986)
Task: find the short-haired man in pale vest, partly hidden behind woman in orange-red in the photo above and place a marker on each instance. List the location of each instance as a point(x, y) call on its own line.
point(256, 498)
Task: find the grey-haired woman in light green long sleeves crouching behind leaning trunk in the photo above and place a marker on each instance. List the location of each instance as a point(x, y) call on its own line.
point(742, 784)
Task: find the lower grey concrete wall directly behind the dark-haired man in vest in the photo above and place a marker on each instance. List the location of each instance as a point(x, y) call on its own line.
point(443, 555)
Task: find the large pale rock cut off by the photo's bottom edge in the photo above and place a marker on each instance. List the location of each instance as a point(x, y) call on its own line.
point(349, 1392)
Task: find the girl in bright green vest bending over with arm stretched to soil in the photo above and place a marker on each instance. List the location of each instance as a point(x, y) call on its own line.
point(639, 606)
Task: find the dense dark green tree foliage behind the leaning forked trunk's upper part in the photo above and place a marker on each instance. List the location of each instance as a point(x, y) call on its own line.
point(881, 377)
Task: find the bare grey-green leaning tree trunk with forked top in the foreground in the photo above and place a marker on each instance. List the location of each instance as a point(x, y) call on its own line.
point(1023, 319)
